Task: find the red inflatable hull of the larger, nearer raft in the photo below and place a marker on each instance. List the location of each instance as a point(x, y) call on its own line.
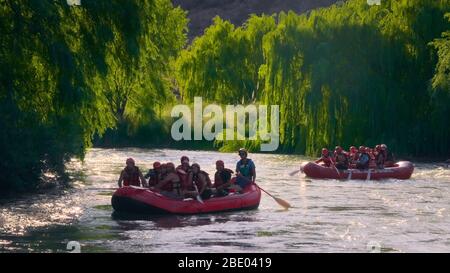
point(142, 200)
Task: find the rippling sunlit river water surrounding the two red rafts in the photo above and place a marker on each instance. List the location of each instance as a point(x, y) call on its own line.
point(328, 215)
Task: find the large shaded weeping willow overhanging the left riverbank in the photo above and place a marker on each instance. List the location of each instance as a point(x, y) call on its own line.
point(68, 73)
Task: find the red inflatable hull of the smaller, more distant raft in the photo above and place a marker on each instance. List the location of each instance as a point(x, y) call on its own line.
point(400, 170)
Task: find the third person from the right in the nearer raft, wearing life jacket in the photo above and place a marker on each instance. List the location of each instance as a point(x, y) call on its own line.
point(199, 182)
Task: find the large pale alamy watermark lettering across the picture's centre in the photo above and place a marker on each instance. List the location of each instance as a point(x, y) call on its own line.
point(227, 126)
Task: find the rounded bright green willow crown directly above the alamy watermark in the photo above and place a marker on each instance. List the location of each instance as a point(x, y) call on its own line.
point(222, 65)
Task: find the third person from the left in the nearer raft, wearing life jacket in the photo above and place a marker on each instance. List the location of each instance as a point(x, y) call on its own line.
point(170, 185)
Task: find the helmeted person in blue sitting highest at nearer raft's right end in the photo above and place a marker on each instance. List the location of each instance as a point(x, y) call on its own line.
point(245, 170)
